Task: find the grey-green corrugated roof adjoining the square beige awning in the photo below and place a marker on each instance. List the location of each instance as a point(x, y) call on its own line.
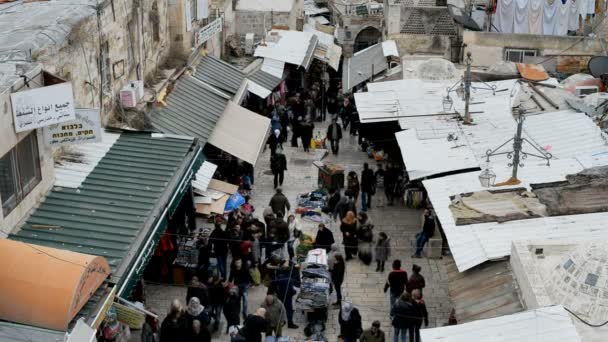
point(193, 108)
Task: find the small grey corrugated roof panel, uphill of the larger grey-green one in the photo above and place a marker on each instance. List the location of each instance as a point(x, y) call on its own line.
point(219, 74)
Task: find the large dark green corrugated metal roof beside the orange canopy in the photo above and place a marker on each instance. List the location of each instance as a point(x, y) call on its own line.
point(116, 202)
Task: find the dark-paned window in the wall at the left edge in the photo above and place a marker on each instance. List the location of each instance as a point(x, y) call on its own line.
point(19, 172)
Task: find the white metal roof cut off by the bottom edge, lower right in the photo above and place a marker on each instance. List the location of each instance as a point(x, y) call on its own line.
point(548, 324)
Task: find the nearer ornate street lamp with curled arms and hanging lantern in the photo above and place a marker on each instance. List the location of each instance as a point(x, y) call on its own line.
point(516, 154)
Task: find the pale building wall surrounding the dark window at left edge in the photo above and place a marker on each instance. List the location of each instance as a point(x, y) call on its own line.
point(8, 140)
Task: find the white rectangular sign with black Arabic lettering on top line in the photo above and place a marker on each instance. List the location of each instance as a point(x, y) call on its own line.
point(42, 106)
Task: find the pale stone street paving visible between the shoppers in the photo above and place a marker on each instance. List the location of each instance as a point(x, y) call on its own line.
point(362, 285)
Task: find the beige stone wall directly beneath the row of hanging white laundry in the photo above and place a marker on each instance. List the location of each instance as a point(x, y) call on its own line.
point(488, 47)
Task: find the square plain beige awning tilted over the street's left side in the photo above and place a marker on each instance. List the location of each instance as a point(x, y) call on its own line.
point(240, 132)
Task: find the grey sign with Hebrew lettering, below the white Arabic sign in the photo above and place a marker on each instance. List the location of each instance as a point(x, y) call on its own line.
point(86, 128)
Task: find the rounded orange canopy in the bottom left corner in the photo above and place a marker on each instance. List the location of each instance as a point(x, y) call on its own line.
point(46, 287)
